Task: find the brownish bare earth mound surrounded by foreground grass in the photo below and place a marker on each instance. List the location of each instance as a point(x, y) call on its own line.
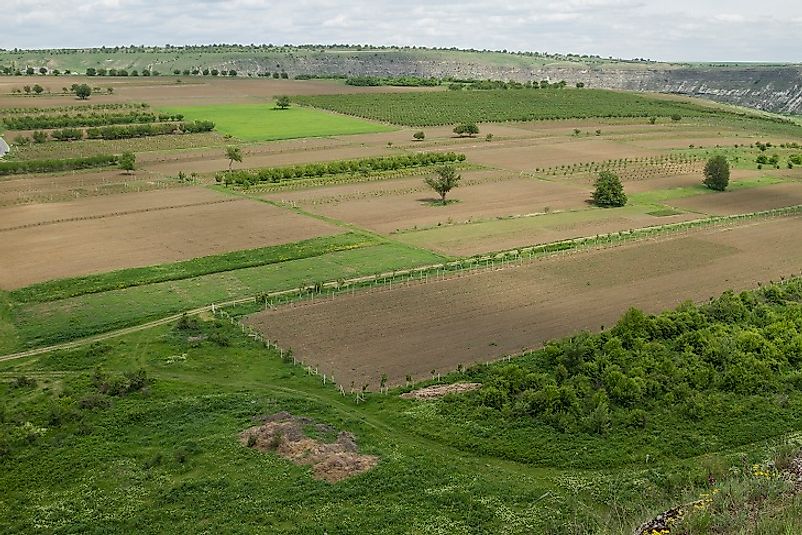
point(285, 434)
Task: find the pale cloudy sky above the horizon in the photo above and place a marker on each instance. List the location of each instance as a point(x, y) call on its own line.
point(690, 30)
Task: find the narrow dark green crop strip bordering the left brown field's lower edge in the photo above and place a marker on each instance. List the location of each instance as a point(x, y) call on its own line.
point(127, 278)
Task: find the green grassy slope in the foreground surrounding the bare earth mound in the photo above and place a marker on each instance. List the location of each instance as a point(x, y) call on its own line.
point(119, 469)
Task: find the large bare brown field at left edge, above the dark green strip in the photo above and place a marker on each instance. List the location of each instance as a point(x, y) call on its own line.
point(139, 229)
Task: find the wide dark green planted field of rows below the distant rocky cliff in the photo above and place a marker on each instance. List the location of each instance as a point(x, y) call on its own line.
point(449, 107)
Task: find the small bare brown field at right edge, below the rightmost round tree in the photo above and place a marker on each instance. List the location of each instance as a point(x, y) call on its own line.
point(743, 201)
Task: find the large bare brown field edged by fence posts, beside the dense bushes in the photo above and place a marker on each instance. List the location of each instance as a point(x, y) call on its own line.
point(420, 327)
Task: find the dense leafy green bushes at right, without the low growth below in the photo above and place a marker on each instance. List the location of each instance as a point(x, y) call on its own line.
point(738, 346)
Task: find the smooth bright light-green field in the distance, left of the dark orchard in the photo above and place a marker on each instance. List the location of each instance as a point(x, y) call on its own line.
point(262, 122)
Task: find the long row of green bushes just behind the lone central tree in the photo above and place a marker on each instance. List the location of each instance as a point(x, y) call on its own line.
point(362, 165)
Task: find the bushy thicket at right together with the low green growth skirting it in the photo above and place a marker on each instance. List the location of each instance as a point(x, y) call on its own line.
point(674, 385)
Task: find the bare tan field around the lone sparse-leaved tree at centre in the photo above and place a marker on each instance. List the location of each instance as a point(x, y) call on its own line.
point(407, 203)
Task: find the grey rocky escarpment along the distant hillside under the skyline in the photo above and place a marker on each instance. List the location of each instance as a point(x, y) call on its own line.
point(776, 89)
